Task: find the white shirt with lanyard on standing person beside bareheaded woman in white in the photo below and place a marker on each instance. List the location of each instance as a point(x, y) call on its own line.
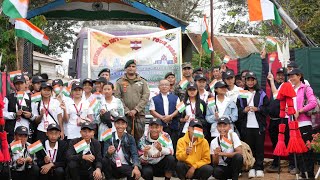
point(72, 130)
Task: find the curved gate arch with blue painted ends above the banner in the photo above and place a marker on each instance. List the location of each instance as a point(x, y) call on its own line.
point(123, 10)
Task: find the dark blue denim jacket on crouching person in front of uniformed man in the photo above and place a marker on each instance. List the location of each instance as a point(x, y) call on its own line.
point(129, 149)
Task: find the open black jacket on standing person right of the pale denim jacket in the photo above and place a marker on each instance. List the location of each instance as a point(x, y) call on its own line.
point(261, 114)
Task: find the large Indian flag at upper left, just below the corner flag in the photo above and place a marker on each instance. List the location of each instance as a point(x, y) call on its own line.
point(27, 30)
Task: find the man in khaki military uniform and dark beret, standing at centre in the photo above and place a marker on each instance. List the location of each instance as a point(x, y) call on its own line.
point(134, 92)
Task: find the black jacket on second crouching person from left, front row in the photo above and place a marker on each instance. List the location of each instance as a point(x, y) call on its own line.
point(61, 157)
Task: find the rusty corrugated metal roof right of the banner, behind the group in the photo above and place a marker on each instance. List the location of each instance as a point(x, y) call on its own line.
point(234, 45)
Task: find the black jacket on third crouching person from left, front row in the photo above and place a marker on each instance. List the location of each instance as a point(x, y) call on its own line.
point(95, 149)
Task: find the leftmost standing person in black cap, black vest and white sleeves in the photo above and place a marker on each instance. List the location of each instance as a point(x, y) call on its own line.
point(17, 108)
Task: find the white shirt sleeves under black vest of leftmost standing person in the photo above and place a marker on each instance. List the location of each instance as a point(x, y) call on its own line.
point(11, 115)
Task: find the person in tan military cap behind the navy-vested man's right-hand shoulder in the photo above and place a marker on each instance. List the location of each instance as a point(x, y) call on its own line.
point(186, 74)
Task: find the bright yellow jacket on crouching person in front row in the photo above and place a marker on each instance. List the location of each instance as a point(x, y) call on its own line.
point(200, 154)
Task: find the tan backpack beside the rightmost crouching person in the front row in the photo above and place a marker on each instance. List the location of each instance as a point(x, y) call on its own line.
point(248, 159)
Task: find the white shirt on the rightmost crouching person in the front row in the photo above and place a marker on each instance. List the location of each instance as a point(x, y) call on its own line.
point(235, 143)
